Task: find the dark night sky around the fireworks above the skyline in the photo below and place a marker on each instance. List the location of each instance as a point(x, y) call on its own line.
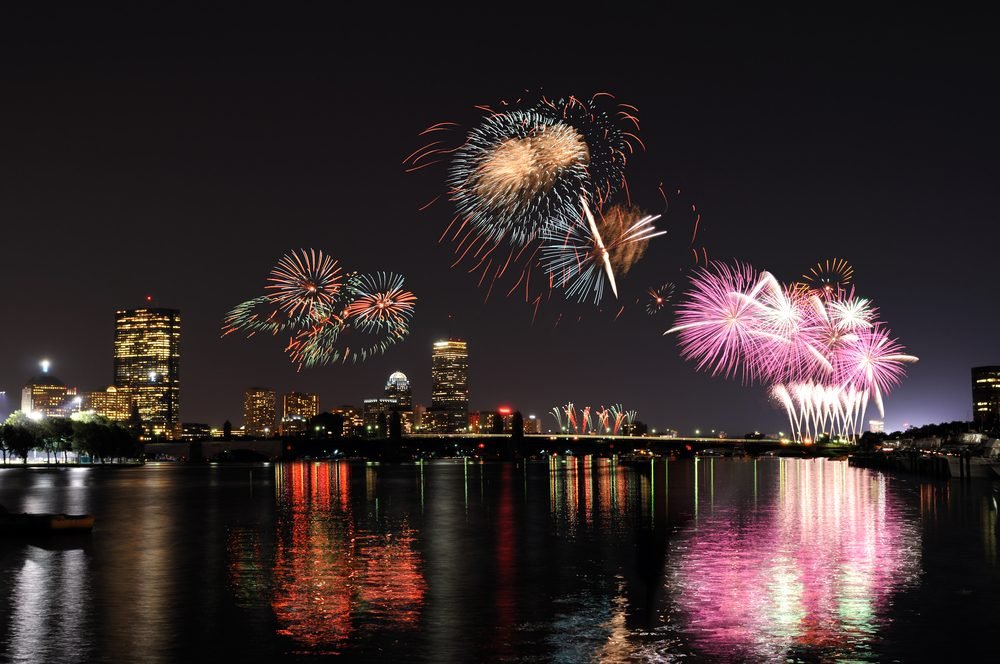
point(145, 151)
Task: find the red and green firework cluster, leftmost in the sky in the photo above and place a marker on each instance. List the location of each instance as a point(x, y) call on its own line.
point(328, 317)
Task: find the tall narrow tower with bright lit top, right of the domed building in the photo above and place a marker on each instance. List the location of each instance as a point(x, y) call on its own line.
point(449, 411)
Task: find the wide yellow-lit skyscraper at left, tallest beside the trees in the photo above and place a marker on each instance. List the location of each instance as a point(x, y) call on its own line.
point(147, 365)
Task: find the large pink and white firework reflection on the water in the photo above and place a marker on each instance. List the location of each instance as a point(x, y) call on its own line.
point(813, 572)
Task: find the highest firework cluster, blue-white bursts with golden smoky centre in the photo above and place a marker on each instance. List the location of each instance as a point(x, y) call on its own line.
point(534, 184)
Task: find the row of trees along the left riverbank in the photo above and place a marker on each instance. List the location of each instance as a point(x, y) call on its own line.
point(85, 434)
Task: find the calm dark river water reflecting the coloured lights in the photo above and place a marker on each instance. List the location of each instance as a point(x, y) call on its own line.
point(450, 561)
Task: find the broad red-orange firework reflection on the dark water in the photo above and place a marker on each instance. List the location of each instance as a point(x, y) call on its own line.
point(332, 574)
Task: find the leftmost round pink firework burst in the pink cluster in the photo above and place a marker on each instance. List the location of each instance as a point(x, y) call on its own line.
point(718, 322)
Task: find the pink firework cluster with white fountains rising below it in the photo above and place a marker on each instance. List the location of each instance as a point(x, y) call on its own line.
point(822, 351)
